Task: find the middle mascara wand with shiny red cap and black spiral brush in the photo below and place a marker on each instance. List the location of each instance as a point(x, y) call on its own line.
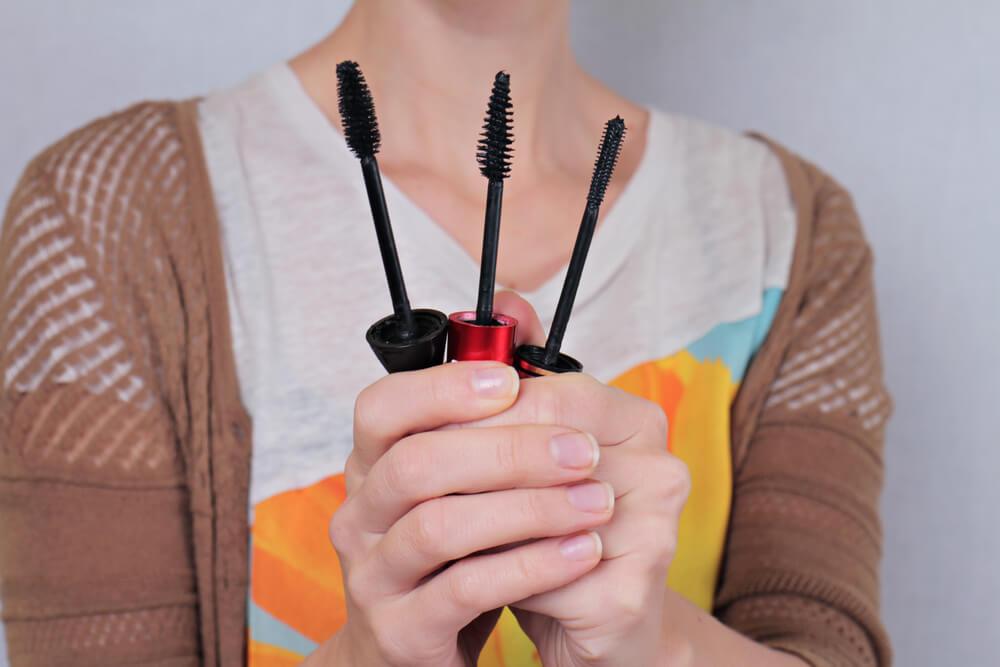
point(484, 334)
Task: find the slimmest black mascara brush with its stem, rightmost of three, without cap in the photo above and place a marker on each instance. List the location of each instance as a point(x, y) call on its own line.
point(607, 158)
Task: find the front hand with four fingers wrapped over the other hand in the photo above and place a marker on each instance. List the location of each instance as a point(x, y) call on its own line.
point(418, 500)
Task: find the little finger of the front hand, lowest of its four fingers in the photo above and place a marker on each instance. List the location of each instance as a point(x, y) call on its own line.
point(480, 583)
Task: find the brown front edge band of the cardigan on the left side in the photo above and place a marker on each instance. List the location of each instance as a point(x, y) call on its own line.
point(220, 476)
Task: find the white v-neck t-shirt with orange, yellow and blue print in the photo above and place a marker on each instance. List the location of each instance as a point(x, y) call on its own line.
point(683, 278)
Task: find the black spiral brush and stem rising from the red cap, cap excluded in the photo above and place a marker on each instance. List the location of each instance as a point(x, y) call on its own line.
point(493, 155)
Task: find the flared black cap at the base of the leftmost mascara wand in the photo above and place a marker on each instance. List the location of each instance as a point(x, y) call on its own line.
point(414, 353)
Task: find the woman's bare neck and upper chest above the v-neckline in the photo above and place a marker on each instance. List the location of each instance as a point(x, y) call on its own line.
point(430, 65)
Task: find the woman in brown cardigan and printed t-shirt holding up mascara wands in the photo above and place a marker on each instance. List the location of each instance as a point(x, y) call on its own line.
point(174, 271)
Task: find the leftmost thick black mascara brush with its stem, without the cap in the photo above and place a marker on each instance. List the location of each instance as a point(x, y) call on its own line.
point(357, 115)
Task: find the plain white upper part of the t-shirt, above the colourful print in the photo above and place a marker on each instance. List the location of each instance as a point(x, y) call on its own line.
point(702, 230)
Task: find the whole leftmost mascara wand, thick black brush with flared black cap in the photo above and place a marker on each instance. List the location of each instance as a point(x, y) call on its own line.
point(408, 339)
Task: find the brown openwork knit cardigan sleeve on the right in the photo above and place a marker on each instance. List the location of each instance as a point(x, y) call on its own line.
point(801, 570)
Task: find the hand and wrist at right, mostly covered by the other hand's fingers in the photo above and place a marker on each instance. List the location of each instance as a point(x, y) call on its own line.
point(613, 615)
